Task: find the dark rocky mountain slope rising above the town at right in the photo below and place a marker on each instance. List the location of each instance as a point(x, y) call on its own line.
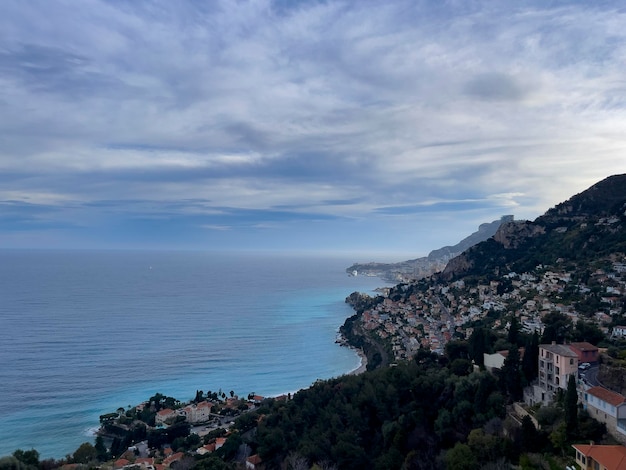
point(588, 226)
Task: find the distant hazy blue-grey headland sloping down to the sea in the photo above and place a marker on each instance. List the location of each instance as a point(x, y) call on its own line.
point(425, 266)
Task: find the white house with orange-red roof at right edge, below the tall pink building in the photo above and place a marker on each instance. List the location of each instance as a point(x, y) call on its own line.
point(609, 408)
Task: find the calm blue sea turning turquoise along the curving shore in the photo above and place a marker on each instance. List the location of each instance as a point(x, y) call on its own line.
point(83, 333)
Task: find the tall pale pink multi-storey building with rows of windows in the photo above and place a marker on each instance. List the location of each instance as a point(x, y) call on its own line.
point(557, 362)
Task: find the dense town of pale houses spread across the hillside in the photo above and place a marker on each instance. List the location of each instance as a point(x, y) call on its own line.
point(428, 315)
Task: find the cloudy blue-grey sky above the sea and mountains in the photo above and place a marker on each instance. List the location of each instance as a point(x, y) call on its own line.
point(388, 128)
